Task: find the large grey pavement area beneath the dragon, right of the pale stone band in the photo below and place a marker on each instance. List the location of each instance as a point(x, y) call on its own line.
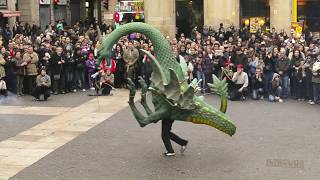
point(274, 141)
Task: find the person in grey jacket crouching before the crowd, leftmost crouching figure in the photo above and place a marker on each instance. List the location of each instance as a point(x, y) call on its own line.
point(43, 86)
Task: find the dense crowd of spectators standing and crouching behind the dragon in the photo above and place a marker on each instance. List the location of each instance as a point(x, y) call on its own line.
point(264, 65)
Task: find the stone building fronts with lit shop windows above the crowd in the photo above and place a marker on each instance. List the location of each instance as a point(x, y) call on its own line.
point(167, 15)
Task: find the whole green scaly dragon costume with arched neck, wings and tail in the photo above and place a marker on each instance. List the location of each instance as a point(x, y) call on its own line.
point(172, 97)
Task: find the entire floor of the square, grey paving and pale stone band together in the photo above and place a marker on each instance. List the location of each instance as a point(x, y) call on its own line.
point(273, 141)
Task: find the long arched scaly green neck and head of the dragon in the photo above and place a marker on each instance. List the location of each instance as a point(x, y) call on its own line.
point(163, 50)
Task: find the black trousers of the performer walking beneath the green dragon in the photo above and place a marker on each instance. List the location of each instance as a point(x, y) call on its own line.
point(167, 135)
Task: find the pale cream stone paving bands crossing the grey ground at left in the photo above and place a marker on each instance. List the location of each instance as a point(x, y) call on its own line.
point(67, 123)
